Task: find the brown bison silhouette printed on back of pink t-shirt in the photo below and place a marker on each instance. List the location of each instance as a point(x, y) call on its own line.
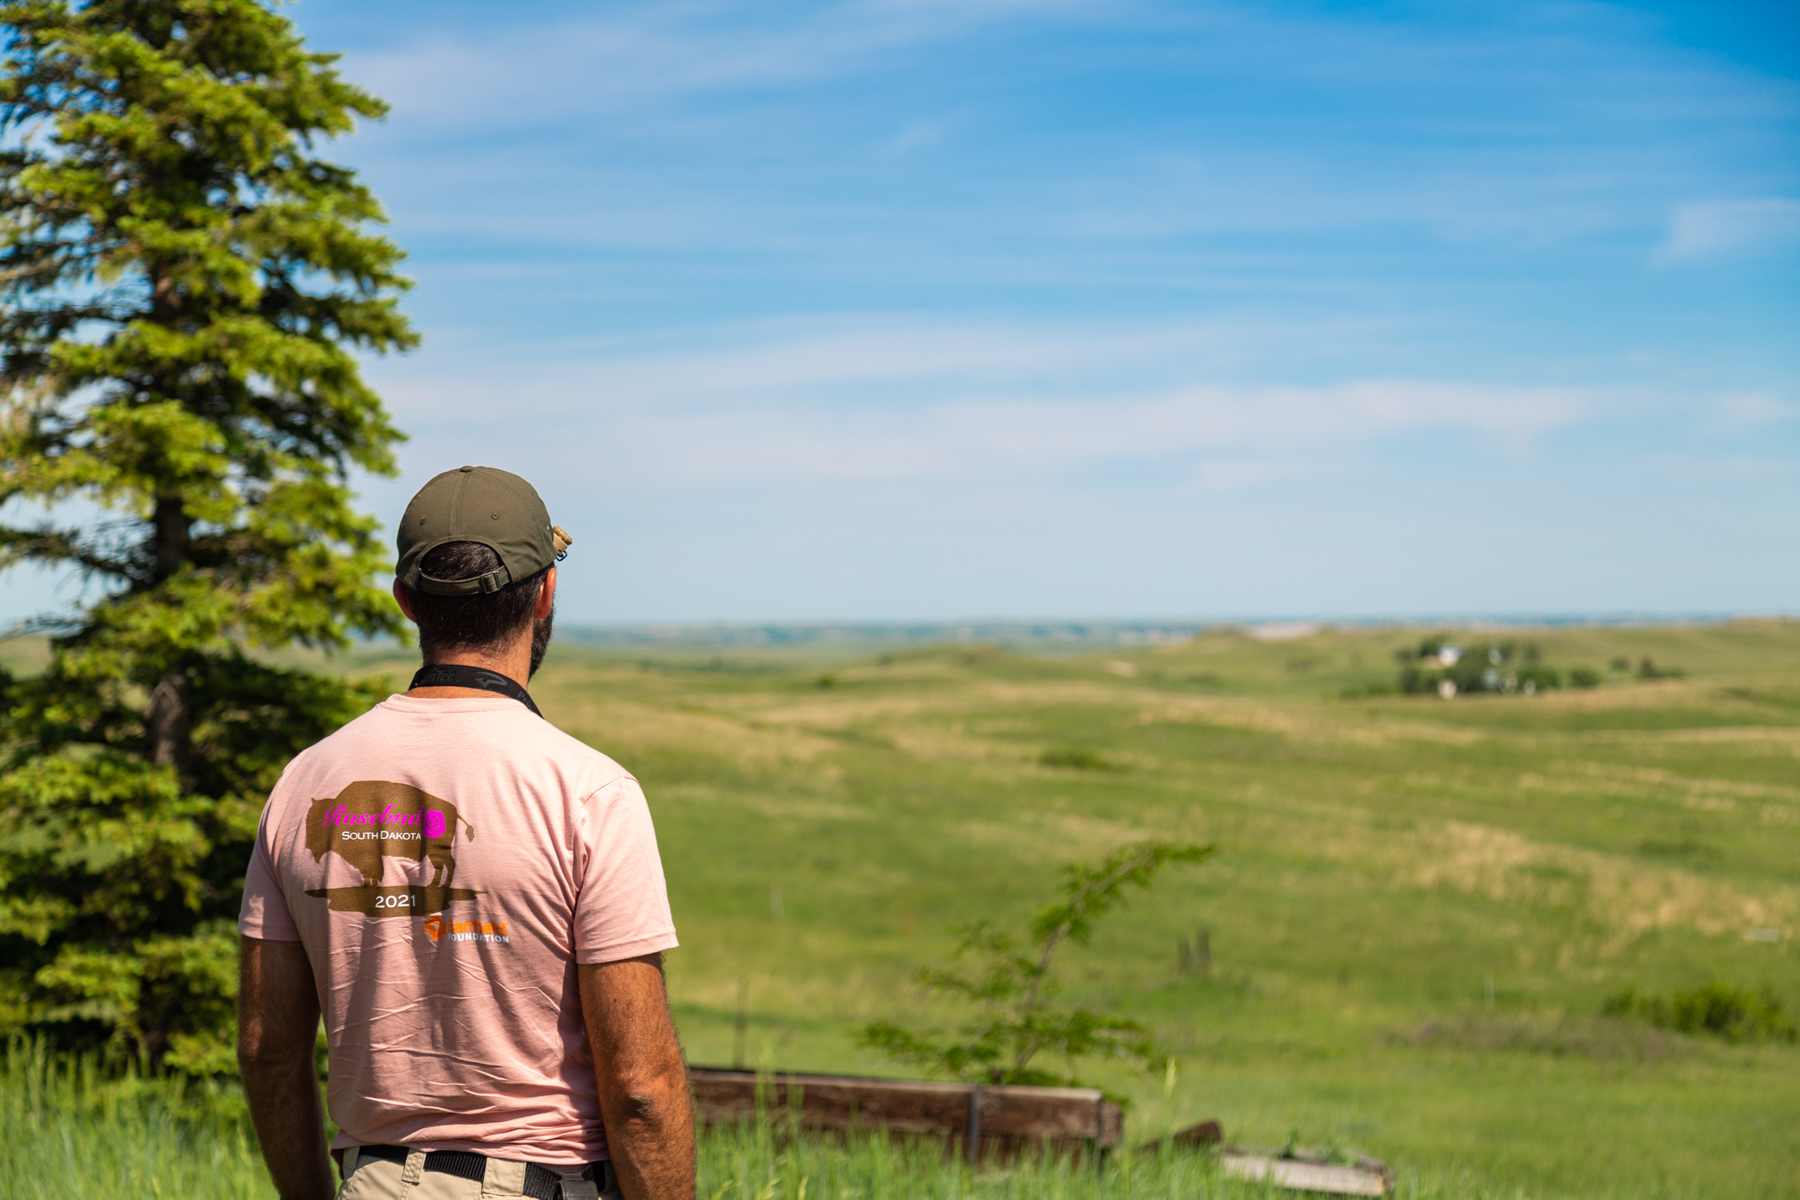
point(373, 819)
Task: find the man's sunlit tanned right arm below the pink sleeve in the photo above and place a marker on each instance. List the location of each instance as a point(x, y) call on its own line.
point(643, 1080)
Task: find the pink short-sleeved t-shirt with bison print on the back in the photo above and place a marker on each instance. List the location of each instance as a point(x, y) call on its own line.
point(447, 864)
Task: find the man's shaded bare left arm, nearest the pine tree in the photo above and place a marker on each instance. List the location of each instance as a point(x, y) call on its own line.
point(278, 1019)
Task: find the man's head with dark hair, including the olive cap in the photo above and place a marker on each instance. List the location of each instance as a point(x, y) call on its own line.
point(476, 568)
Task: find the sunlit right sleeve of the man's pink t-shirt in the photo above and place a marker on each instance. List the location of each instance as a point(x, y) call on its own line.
point(622, 906)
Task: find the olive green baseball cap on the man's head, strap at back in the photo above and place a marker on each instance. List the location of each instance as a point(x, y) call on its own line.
point(478, 505)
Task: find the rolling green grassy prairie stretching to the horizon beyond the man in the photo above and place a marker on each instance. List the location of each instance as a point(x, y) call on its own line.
point(1416, 915)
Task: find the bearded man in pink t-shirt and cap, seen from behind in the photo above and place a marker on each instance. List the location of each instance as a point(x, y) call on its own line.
point(476, 904)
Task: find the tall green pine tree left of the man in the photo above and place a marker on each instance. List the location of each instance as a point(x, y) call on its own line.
point(184, 292)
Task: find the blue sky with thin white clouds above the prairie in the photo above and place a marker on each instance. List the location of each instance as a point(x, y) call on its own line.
point(913, 309)
